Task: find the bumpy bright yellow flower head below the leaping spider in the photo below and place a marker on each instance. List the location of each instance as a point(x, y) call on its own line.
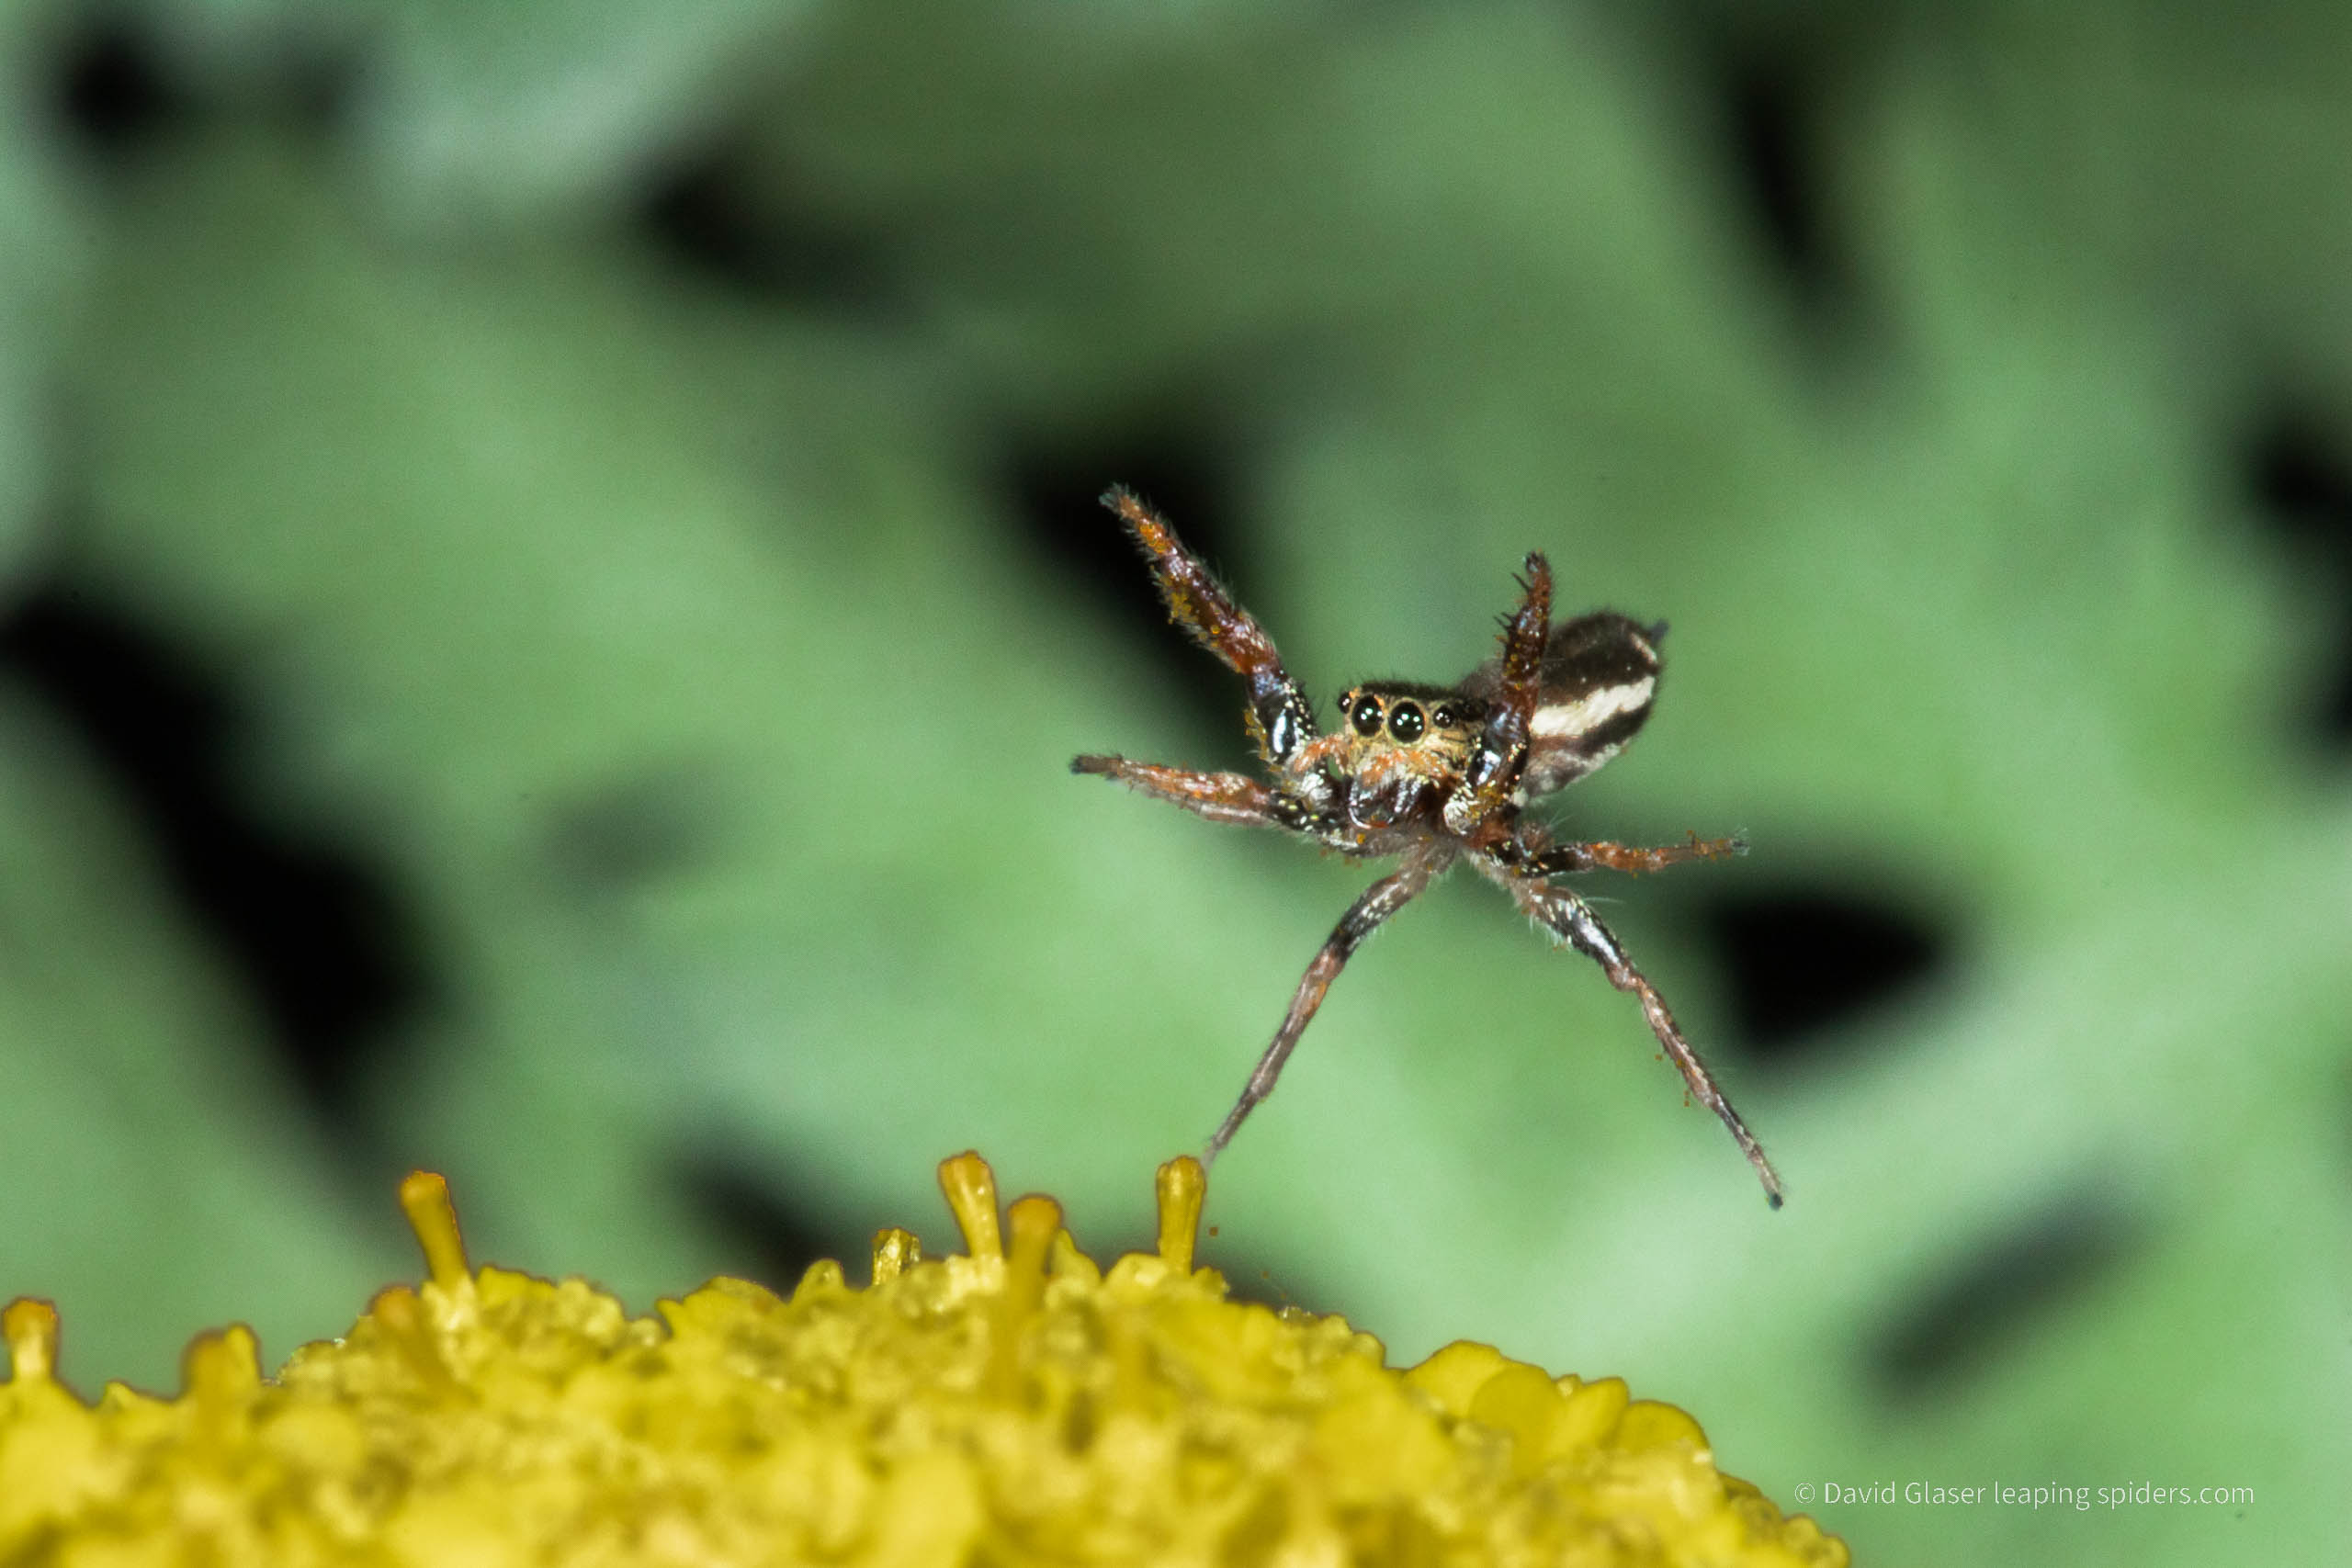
point(1015, 1405)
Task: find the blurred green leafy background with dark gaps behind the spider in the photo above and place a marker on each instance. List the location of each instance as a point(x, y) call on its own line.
point(552, 582)
